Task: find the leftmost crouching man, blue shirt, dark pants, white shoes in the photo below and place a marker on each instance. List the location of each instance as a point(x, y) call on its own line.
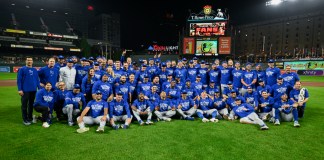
point(44, 103)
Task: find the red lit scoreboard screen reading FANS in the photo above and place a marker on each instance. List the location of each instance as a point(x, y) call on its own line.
point(207, 29)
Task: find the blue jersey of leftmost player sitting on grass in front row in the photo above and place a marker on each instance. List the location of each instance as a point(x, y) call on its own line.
point(97, 108)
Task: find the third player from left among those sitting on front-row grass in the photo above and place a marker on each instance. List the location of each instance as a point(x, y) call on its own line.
point(142, 107)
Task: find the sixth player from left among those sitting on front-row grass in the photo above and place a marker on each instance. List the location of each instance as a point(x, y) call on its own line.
point(206, 108)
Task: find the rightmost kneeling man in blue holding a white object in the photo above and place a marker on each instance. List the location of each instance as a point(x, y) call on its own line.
point(301, 96)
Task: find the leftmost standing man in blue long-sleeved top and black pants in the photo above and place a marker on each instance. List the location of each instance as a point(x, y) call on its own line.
point(27, 82)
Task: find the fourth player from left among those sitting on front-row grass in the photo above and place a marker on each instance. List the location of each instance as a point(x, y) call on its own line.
point(164, 109)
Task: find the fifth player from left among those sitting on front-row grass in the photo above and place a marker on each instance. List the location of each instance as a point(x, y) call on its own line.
point(186, 107)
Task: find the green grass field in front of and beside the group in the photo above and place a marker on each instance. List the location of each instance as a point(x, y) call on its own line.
point(177, 139)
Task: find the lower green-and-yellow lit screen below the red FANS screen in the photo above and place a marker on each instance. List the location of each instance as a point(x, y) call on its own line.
point(206, 47)
